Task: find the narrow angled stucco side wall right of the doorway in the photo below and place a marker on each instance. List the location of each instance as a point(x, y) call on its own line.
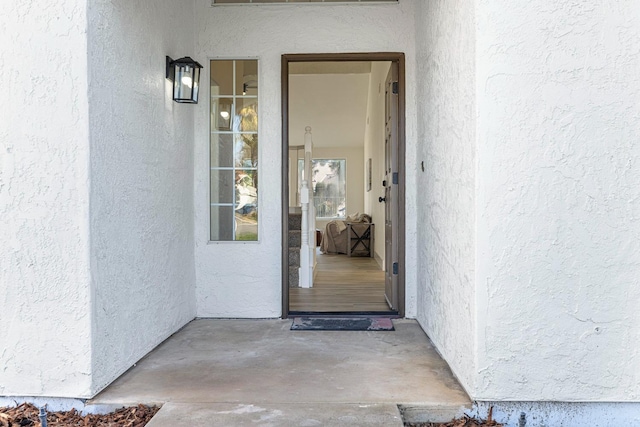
point(445, 34)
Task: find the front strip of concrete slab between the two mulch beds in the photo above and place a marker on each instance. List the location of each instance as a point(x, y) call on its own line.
point(304, 415)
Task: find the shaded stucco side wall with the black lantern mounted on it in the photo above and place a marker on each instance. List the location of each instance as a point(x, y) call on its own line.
point(142, 181)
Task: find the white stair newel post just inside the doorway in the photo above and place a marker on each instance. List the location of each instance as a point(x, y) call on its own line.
point(308, 246)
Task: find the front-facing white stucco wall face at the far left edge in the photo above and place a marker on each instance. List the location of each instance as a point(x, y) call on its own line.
point(45, 326)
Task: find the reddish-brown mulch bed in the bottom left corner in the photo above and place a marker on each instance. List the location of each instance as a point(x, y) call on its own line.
point(26, 415)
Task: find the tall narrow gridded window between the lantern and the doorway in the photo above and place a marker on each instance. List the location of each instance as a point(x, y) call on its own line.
point(234, 150)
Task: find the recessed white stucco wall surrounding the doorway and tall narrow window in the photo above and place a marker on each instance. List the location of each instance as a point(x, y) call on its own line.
point(244, 279)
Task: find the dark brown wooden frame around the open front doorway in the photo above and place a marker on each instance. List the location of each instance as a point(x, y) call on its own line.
point(395, 57)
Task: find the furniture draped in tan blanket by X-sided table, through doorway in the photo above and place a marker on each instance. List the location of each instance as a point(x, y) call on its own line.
point(335, 239)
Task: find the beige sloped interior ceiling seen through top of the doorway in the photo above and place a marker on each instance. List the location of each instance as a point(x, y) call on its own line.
point(332, 98)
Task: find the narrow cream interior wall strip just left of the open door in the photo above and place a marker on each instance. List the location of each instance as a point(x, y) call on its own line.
point(374, 150)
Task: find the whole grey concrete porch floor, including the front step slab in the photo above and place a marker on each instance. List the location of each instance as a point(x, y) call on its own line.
point(259, 373)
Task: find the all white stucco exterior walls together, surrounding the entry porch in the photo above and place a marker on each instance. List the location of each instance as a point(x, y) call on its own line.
point(527, 126)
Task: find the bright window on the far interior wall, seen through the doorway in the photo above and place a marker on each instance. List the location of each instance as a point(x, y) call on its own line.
point(329, 185)
